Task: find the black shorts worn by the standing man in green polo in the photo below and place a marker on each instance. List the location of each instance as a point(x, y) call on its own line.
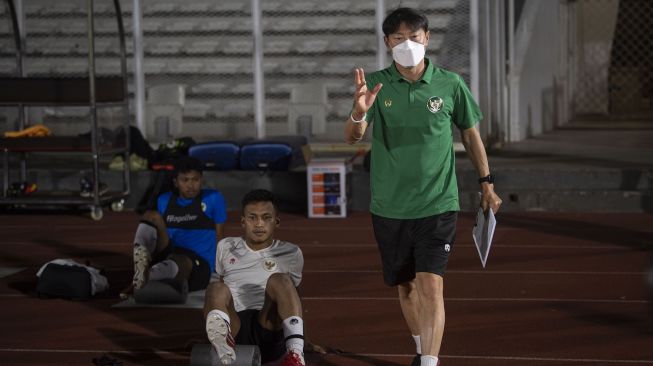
point(408, 246)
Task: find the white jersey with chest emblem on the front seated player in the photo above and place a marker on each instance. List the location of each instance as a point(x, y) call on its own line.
point(246, 271)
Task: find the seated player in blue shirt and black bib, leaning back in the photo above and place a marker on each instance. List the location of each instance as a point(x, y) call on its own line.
point(178, 240)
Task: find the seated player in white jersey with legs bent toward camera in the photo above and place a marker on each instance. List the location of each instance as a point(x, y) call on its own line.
point(252, 298)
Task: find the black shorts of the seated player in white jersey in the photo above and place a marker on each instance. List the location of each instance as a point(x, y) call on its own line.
point(271, 343)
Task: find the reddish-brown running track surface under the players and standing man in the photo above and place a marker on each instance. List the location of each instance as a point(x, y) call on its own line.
point(559, 289)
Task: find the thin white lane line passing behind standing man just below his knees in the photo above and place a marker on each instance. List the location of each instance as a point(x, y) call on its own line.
point(481, 299)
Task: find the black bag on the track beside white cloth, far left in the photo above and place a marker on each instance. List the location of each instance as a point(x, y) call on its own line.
point(64, 281)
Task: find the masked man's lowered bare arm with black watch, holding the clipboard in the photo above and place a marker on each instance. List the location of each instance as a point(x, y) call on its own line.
point(475, 149)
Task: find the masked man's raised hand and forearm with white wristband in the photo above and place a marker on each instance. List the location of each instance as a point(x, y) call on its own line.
point(363, 99)
